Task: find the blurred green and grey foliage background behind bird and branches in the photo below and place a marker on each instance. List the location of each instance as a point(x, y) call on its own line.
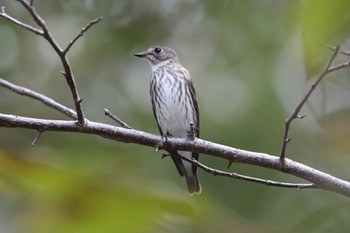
point(252, 61)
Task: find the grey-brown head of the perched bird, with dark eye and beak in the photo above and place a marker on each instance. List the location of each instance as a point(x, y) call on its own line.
point(158, 54)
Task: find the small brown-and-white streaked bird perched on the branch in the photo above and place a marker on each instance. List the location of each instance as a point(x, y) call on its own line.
point(175, 106)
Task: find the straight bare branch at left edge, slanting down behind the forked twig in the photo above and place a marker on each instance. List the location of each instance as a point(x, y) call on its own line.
point(42, 98)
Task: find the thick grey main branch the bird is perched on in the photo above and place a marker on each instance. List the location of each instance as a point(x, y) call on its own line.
point(318, 178)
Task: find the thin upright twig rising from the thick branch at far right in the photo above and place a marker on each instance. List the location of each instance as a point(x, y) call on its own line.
point(295, 113)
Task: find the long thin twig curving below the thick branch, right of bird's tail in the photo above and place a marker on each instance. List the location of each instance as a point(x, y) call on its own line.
point(217, 172)
